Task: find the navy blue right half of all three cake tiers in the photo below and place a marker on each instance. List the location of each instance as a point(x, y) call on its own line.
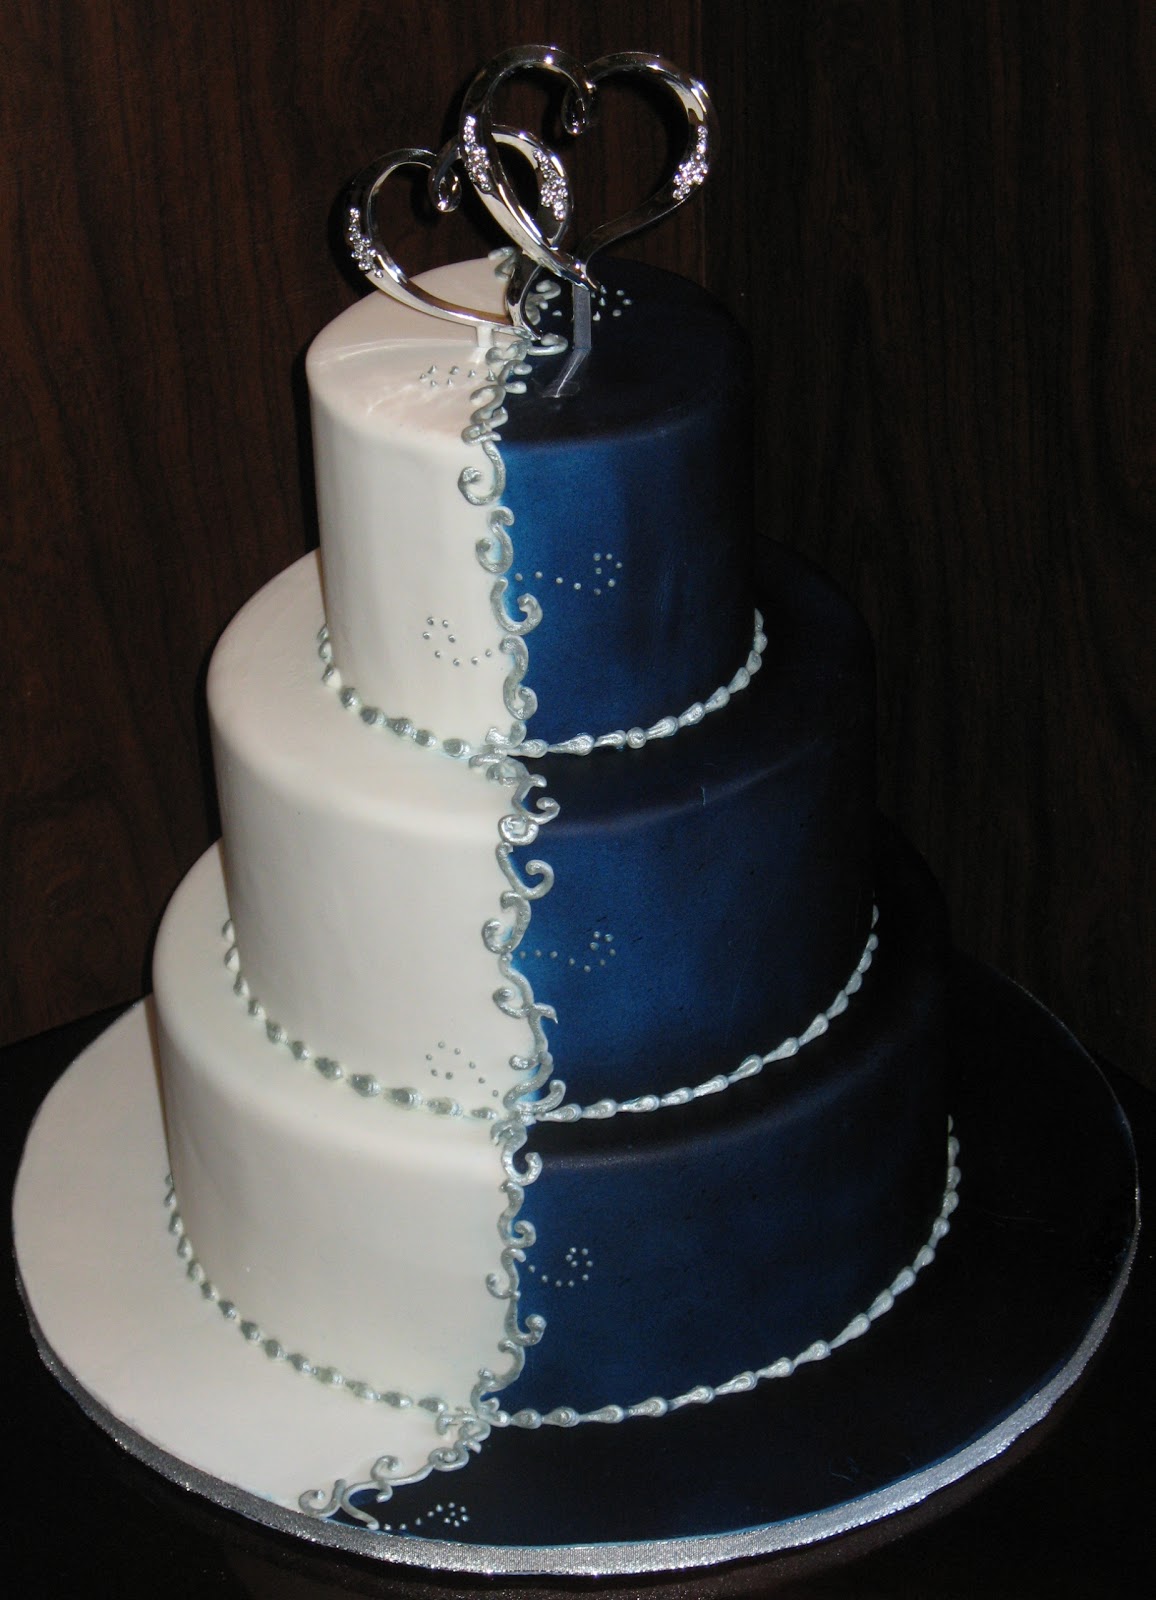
point(712, 895)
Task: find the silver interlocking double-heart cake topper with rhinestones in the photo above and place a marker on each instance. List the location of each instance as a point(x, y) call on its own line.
point(537, 236)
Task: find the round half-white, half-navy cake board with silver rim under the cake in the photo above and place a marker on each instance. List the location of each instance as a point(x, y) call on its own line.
point(995, 1332)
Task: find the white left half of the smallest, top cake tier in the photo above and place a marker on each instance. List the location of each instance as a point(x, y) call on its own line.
point(407, 604)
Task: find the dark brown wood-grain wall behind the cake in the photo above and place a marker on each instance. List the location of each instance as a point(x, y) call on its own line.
point(934, 218)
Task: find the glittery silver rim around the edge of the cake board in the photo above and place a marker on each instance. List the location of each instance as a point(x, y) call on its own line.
point(612, 1558)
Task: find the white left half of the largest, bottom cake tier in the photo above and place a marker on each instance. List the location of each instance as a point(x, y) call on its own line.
point(265, 1158)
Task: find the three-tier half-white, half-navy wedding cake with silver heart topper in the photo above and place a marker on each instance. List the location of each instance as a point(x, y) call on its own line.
point(556, 1036)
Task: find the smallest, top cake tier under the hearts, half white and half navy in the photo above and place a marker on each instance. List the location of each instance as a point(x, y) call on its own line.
point(630, 508)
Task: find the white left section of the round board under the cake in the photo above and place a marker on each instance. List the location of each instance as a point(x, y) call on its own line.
point(116, 1310)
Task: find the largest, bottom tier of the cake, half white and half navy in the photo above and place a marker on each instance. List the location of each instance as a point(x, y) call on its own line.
point(680, 1247)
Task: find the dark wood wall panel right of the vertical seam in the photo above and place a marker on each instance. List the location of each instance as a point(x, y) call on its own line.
point(944, 250)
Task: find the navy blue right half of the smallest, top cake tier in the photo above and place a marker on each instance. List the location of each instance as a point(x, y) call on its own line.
point(632, 513)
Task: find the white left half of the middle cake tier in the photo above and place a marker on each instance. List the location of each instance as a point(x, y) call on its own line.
point(361, 873)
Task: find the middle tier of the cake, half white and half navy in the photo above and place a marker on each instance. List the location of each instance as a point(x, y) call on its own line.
point(712, 890)
